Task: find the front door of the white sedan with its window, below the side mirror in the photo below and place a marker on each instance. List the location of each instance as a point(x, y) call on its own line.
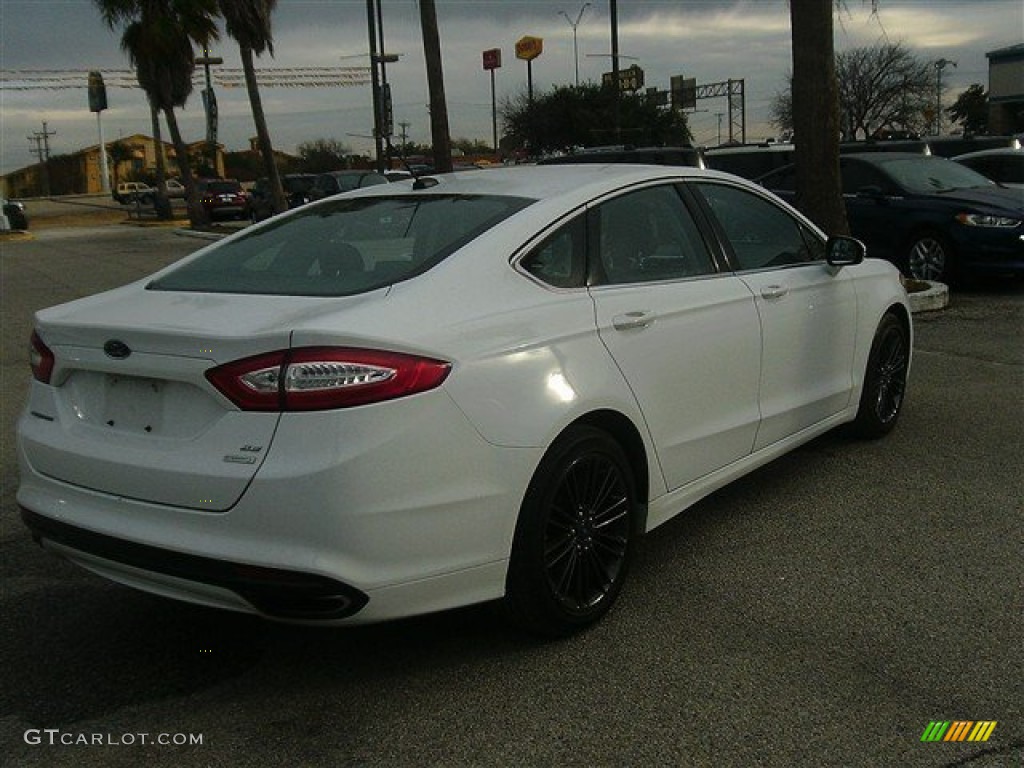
point(807, 310)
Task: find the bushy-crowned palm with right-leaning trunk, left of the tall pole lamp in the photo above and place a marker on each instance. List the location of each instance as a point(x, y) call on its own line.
point(158, 36)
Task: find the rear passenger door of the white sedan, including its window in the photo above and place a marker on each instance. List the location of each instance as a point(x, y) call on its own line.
point(686, 336)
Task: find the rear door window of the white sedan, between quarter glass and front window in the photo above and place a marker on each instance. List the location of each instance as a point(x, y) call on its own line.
point(649, 236)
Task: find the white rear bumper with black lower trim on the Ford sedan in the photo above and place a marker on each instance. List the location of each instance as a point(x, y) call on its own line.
point(357, 517)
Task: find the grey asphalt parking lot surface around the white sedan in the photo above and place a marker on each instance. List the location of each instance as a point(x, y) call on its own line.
point(822, 612)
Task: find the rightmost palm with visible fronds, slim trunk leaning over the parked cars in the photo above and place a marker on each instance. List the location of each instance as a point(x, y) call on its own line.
point(248, 23)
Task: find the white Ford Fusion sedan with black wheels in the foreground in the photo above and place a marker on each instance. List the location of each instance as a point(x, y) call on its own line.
point(471, 388)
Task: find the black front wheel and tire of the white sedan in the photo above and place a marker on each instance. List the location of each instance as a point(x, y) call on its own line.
point(885, 380)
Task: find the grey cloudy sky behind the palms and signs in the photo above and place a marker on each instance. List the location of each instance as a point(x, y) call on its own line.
point(712, 41)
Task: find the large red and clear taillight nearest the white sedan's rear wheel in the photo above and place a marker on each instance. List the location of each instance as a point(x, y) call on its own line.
point(325, 378)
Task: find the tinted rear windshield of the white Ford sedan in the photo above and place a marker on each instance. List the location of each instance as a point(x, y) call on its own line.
point(343, 247)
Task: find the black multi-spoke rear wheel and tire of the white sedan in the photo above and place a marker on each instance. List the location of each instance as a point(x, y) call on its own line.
point(575, 537)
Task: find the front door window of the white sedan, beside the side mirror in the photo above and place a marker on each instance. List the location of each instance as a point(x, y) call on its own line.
point(761, 234)
